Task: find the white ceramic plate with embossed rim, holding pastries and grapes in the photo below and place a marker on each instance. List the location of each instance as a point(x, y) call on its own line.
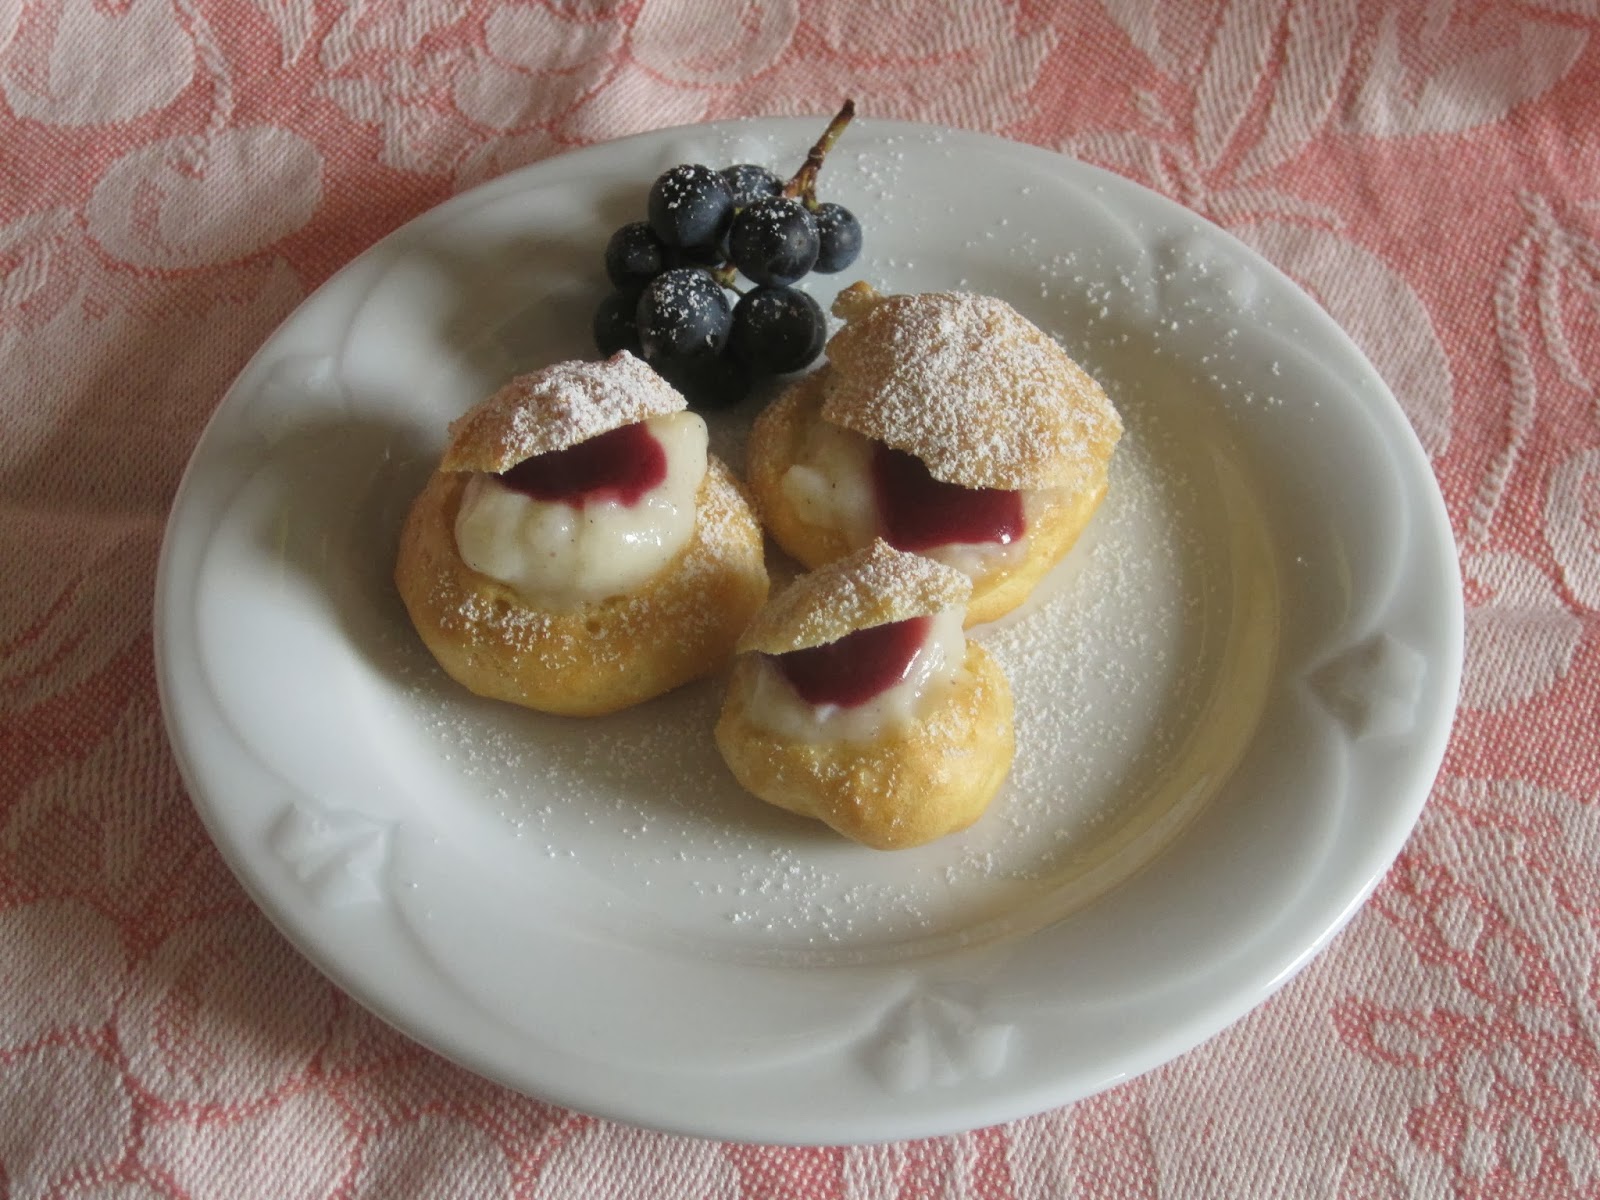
point(1233, 697)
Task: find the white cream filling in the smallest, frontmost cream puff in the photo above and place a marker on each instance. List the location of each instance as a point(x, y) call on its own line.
point(937, 665)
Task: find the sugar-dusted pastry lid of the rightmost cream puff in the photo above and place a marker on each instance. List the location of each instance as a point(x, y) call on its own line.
point(972, 388)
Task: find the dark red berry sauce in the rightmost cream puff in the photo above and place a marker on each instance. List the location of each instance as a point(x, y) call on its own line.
point(919, 513)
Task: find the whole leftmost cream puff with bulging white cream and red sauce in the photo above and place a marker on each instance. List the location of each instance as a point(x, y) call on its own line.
point(578, 551)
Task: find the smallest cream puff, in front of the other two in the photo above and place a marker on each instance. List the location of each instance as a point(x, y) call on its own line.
point(857, 700)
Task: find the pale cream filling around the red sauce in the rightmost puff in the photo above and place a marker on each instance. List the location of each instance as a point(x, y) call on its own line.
point(831, 486)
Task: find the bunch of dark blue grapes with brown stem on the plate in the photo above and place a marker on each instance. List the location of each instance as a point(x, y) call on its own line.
point(674, 274)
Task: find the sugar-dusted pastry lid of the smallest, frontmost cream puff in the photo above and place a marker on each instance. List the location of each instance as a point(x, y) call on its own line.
point(860, 591)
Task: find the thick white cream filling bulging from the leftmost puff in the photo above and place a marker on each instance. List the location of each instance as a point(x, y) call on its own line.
point(562, 558)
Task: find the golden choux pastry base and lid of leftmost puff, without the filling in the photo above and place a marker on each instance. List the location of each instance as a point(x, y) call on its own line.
point(586, 657)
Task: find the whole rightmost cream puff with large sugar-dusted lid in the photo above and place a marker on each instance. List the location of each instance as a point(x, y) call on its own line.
point(948, 425)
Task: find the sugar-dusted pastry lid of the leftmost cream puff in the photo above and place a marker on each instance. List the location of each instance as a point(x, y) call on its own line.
point(554, 409)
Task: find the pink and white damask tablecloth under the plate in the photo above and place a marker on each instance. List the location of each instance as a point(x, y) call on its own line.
point(177, 175)
